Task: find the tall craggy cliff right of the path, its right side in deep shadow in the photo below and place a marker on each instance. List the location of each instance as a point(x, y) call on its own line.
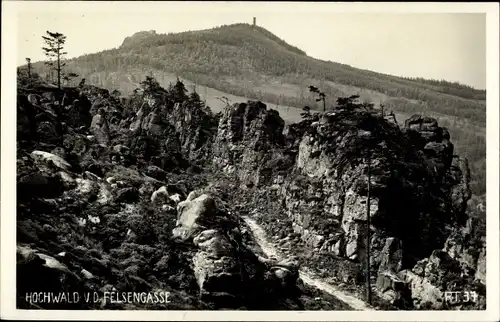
point(319, 168)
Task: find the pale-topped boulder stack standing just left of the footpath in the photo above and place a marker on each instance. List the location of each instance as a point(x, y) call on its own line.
point(226, 271)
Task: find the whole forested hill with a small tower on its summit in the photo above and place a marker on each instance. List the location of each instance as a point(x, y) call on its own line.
point(251, 62)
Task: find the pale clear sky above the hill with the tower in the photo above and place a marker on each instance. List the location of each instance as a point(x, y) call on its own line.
point(450, 46)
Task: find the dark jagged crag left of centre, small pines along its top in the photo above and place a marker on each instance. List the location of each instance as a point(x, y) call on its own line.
point(171, 135)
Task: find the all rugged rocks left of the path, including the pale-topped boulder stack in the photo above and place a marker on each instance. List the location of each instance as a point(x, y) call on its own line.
point(101, 208)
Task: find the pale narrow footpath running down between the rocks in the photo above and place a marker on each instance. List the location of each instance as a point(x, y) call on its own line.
point(307, 278)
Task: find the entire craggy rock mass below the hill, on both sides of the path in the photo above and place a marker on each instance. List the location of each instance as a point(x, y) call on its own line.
point(119, 190)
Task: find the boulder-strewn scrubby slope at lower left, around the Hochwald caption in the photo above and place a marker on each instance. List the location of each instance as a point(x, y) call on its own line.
point(77, 231)
